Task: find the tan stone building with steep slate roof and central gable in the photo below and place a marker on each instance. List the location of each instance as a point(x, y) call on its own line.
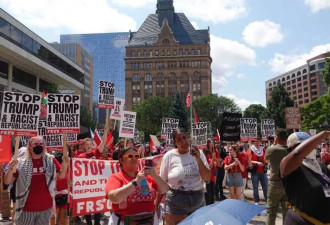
point(164, 54)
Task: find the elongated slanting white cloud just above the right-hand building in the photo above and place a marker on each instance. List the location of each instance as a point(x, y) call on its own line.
point(283, 63)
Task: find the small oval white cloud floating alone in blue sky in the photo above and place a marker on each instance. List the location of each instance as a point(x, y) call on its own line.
point(262, 33)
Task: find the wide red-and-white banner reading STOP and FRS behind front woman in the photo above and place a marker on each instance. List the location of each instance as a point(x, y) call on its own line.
point(89, 180)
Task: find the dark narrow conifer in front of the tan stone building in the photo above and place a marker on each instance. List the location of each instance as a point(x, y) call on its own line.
point(179, 111)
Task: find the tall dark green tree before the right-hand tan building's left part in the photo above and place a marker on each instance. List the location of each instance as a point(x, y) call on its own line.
point(279, 99)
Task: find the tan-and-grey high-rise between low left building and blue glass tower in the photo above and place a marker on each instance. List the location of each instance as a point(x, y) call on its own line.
point(82, 58)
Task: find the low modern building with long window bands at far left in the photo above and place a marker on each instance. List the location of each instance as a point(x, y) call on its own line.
point(29, 64)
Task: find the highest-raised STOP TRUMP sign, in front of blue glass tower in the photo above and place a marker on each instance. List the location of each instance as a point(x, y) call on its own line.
point(106, 95)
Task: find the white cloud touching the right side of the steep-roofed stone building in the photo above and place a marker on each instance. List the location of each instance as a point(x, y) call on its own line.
point(227, 55)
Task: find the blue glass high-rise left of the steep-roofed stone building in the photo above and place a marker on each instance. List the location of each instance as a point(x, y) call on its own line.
point(108, 52)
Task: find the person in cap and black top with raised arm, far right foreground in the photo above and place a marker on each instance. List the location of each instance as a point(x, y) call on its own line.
point(306, 181)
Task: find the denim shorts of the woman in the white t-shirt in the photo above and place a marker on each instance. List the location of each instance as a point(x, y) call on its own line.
point(183, 202)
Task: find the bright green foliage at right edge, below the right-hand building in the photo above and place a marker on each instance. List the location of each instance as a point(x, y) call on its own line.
point(316, 114)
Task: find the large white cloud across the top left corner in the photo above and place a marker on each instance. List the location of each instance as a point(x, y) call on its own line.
point(77, 16)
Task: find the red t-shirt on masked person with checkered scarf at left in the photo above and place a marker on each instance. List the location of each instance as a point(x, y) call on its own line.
point(39, 189)
